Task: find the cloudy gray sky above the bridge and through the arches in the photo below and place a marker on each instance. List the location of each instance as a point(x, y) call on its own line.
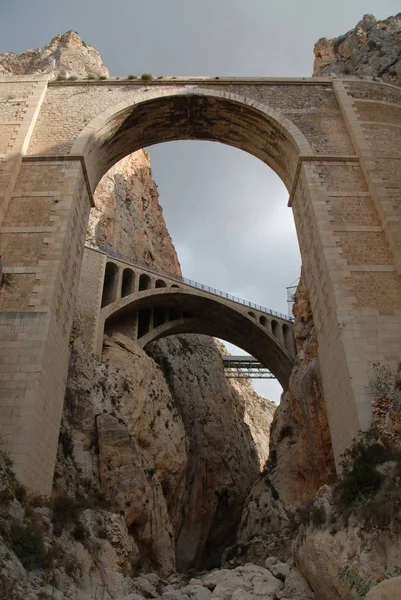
point(226, 211)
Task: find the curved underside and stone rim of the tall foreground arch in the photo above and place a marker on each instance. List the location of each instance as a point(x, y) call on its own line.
point(190, 113)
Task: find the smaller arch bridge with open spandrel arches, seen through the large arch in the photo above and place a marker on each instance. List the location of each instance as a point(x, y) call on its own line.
point(147, 304)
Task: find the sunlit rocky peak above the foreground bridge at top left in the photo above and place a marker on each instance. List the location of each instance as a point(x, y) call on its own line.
point(66, 56)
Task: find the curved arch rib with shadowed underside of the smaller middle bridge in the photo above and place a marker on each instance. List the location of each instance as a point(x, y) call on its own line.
point(216, 318)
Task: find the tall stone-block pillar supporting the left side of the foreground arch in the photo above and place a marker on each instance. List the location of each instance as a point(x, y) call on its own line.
point(42, 243)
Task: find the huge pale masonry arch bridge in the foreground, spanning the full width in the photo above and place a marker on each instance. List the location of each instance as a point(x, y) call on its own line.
point(335, 145)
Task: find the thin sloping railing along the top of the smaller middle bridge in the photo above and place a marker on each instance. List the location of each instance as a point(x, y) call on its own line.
point(195, 284)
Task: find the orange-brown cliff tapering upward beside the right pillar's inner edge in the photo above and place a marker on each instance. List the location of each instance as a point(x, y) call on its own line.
point(300, 459)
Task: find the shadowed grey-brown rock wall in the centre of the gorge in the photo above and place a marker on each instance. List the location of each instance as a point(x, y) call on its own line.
point(222, 458)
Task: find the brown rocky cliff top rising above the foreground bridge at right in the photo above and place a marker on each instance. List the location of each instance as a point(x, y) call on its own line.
point(371, 50)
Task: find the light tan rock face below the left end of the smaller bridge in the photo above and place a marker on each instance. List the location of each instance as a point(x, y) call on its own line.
point(150, 414)
